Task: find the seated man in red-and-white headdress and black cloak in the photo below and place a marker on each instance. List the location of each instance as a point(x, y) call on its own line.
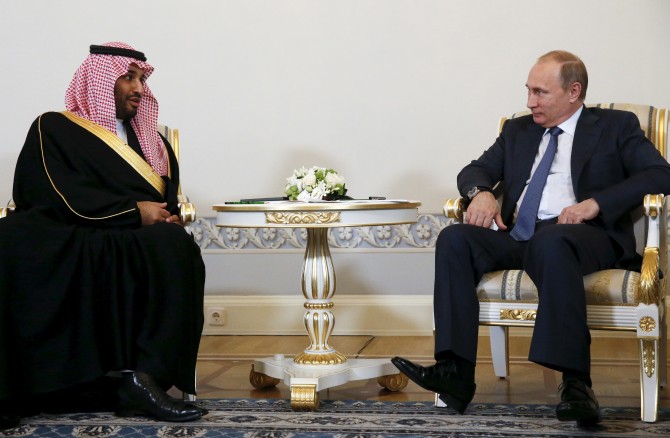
point(97, 274)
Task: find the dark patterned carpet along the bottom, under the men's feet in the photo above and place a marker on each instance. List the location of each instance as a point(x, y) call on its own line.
point(344, 419)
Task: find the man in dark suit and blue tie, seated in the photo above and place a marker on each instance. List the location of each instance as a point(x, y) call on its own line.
point(559, 220)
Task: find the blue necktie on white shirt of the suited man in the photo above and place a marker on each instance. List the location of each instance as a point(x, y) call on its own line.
point(527, 215)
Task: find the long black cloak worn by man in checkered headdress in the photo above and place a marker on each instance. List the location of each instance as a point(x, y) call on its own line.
point(85, 289)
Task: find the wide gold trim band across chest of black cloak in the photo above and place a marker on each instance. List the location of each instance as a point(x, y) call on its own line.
point(126, 152)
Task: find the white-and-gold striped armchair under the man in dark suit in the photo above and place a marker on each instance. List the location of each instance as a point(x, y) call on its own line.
point(617, 300)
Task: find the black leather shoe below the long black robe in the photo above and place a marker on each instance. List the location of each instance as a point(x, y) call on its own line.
point(139, 394)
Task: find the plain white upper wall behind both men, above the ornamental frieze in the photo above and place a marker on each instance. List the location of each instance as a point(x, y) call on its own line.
point(397, 95)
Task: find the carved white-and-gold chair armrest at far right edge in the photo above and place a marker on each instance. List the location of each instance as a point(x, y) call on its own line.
point(654, 261)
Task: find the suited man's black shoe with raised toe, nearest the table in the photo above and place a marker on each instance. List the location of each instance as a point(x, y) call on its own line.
point(444, 378)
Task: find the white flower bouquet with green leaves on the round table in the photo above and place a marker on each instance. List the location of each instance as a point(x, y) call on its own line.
point(315, 184)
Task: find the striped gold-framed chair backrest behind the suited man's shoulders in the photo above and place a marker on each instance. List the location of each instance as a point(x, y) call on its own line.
point(654, 122)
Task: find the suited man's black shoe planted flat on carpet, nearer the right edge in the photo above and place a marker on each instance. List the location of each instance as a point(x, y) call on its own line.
point(578, 403)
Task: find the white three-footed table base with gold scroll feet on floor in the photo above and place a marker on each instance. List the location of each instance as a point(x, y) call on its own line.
point(306, 381)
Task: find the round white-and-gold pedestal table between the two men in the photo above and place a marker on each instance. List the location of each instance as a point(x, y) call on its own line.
point(320, 366)
